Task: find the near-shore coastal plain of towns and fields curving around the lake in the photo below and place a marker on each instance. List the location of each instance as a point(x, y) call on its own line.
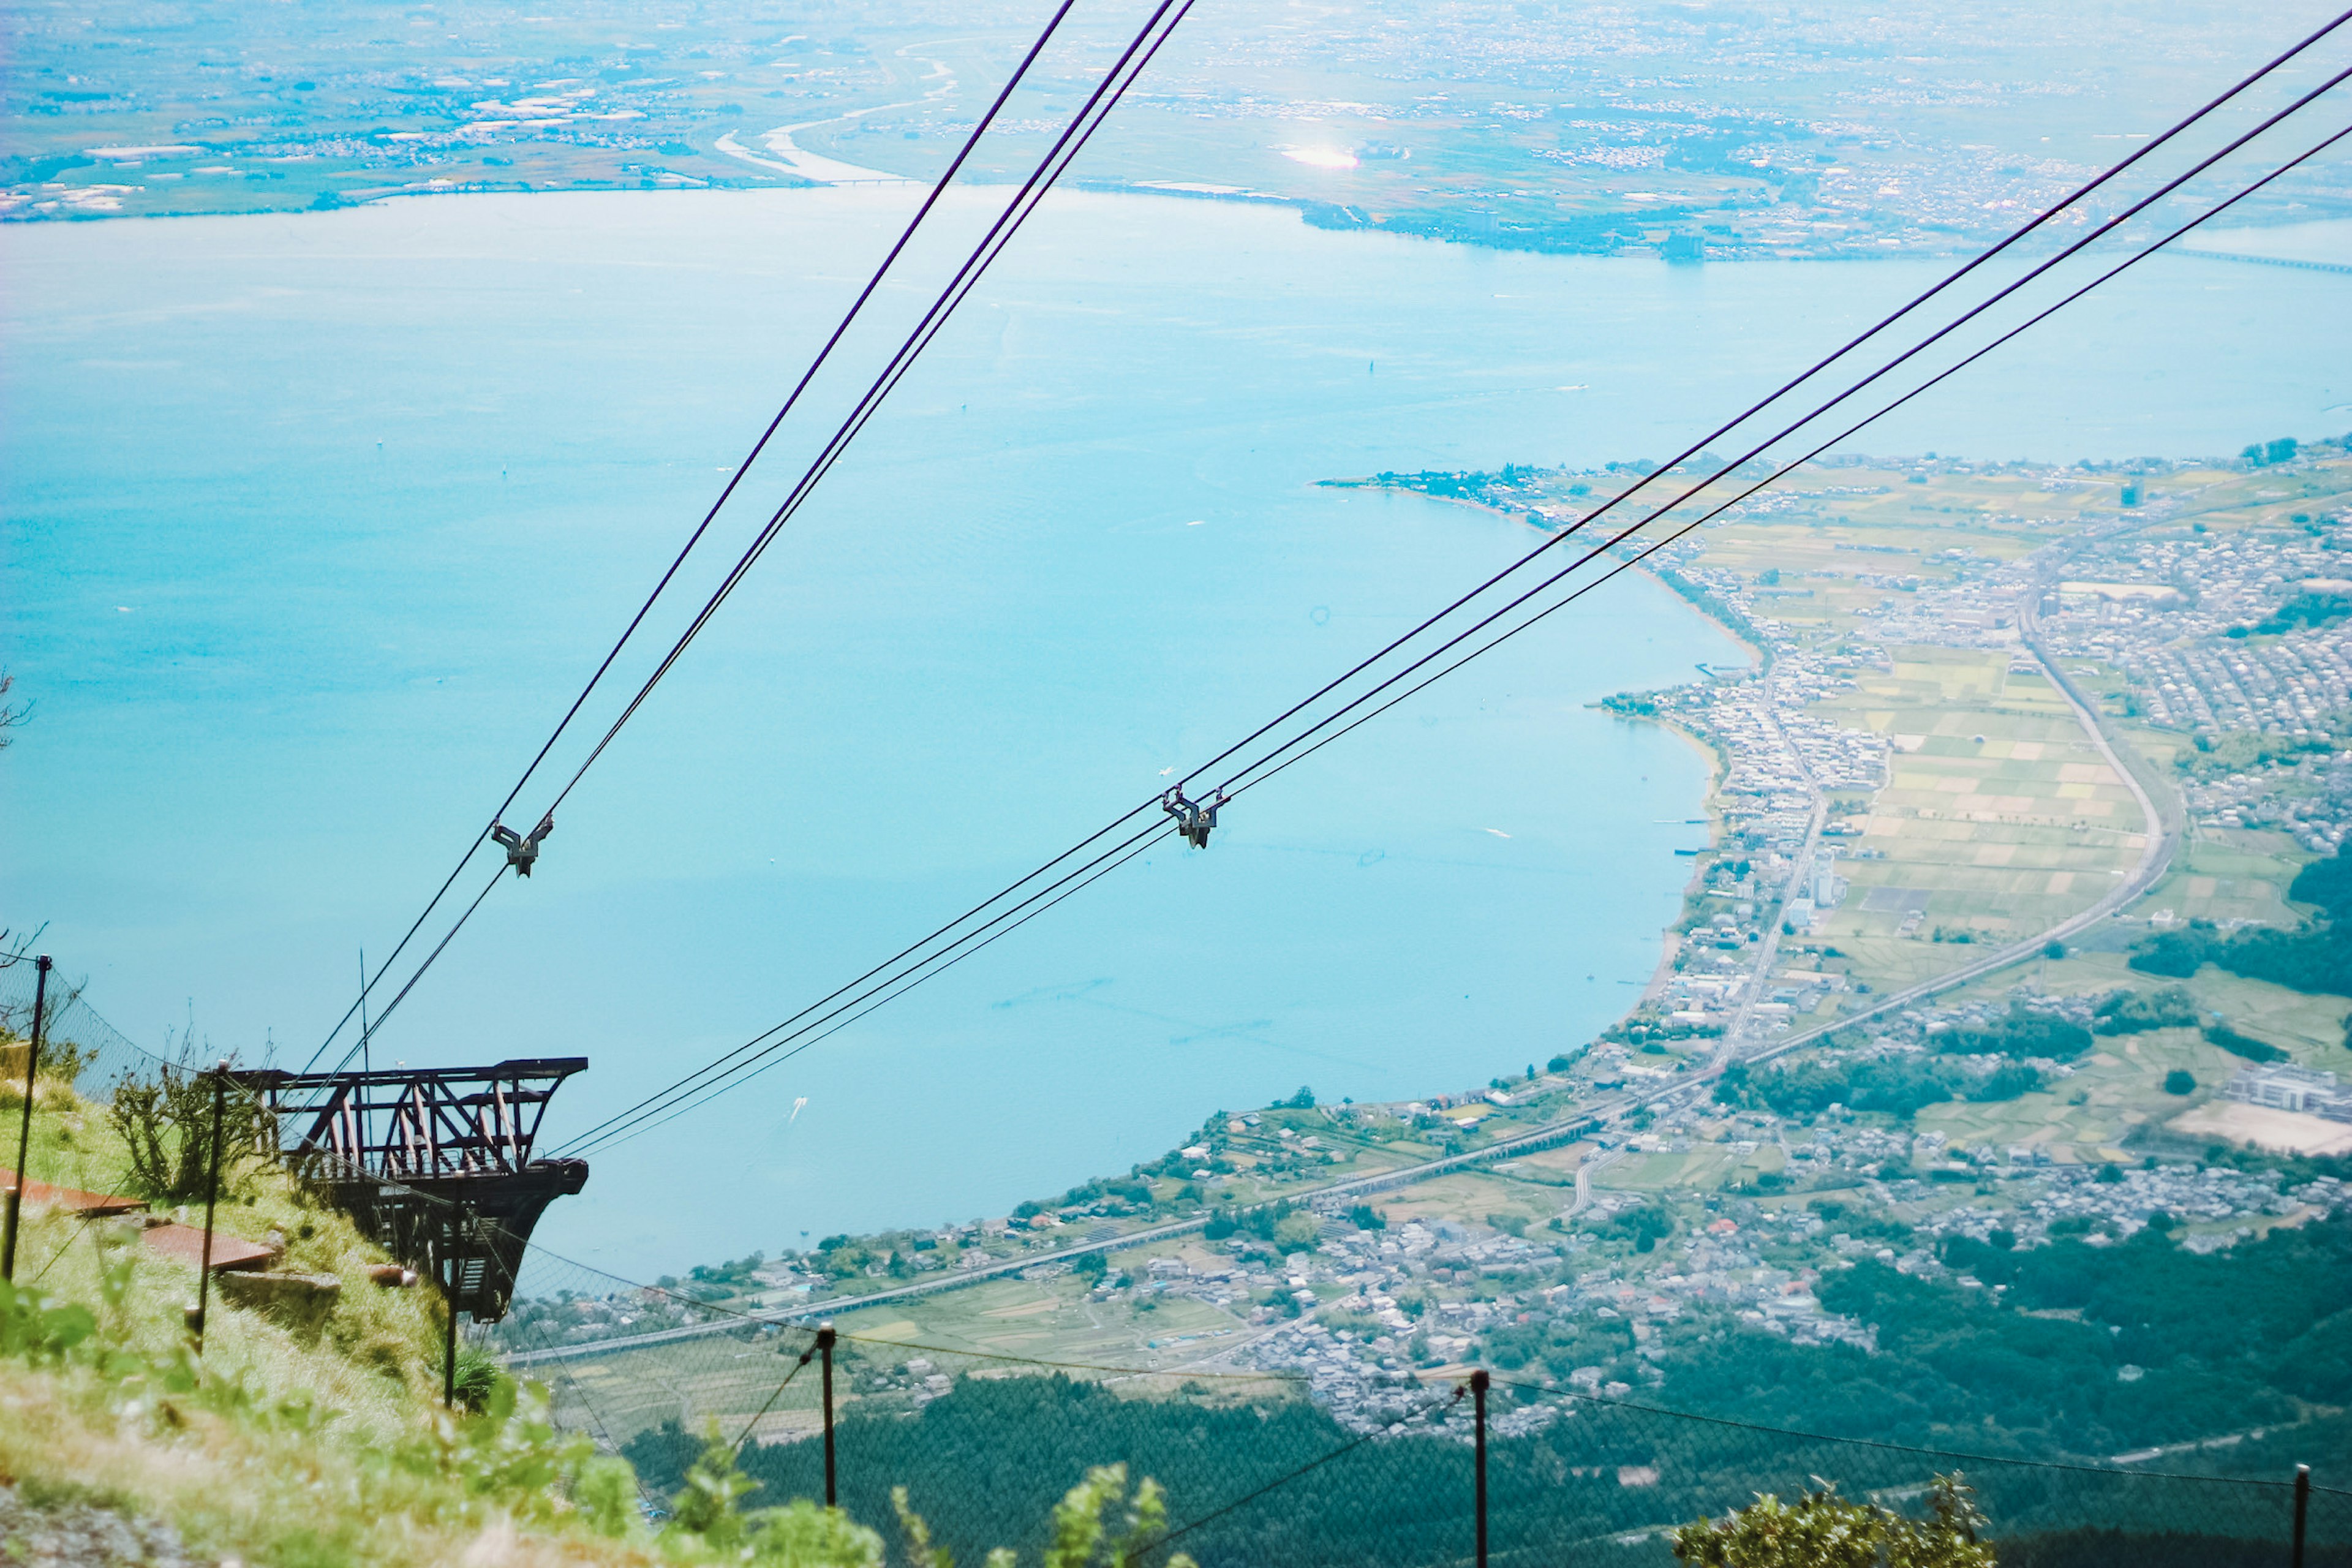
point(1963, 683)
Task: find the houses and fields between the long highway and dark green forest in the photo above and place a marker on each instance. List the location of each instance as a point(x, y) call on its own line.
point(1368, 1308)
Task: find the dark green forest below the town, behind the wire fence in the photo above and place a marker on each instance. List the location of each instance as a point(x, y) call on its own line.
point(2064, 1353)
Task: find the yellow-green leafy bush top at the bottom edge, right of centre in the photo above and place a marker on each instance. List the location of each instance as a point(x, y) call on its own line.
point(1829, 1532)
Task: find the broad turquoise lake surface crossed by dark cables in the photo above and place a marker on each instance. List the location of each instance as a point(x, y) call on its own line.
point(316, 523)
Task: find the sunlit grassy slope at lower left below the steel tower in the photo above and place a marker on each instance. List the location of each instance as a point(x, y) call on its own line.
point(276, 1447)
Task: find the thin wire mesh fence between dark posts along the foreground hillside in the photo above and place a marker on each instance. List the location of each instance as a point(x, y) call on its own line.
point(1255, 1466)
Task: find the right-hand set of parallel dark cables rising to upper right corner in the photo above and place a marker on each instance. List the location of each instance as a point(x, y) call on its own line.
point(1123, 840)
